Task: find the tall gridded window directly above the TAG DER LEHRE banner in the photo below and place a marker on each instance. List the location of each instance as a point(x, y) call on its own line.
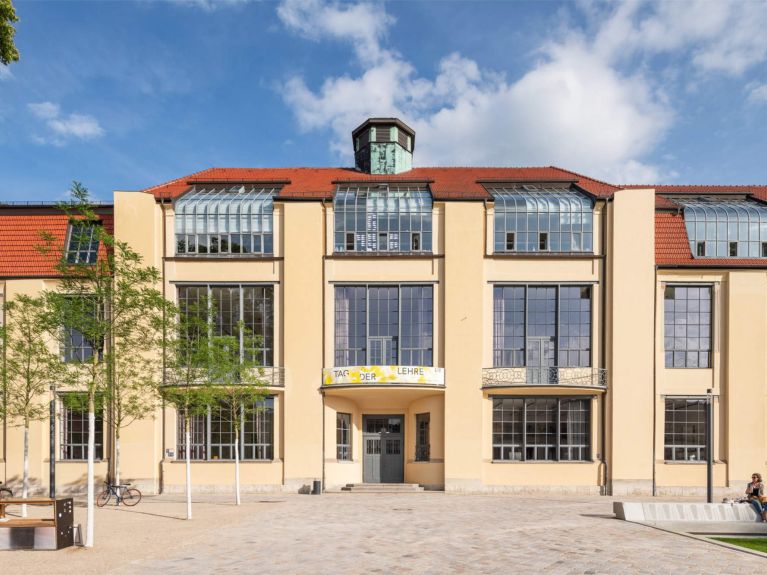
point(384, 325)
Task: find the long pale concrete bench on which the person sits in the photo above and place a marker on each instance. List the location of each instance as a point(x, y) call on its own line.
point(725, 518)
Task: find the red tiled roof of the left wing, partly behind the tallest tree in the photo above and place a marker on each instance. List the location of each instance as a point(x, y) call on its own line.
point(20, 234)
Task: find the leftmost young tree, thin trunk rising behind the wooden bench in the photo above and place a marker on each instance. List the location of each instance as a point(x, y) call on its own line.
point(29, 366)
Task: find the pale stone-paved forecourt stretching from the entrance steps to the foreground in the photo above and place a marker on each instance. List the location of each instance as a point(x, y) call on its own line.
point(441, 533)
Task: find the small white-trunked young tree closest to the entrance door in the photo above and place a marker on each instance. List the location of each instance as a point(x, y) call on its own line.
point(237, 382)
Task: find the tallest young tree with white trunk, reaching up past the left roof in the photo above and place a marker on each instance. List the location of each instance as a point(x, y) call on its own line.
point(106, 296)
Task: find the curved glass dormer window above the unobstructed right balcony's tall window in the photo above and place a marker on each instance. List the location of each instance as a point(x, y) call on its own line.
point(542, 219)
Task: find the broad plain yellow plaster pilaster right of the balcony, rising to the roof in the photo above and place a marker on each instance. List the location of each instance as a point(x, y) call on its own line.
point(631, 302)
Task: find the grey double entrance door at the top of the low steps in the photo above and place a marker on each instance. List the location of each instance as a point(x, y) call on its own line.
point(383, 458)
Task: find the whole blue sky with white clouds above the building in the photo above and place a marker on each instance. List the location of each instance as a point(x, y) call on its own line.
point(125, 95)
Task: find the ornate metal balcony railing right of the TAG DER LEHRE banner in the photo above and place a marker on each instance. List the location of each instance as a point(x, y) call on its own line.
point(544, 376)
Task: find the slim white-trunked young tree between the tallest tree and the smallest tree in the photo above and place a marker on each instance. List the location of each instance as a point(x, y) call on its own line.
point(188, 365)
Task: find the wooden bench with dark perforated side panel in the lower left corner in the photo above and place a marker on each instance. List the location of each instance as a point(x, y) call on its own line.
point(34, 532)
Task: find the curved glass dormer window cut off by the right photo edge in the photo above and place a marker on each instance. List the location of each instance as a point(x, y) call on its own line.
point(725, 228)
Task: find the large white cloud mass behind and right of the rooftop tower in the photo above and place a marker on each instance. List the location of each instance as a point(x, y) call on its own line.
point(580, 106)
